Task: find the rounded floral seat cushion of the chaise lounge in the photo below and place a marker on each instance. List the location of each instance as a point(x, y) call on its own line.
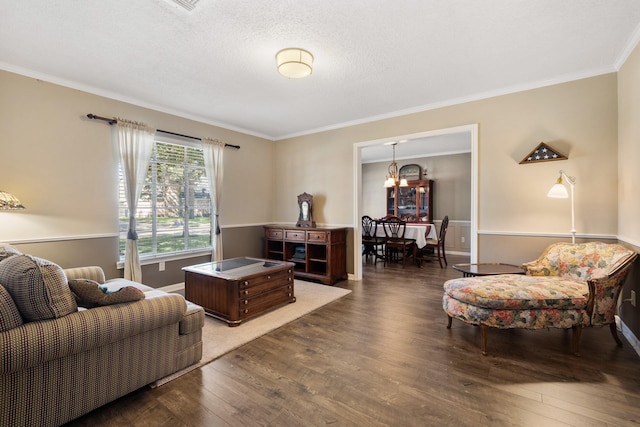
point(518, 292)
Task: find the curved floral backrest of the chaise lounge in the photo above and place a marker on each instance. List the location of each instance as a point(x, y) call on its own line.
point(582, 261)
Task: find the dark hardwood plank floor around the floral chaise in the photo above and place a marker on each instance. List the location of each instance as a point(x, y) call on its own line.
point(382, 356)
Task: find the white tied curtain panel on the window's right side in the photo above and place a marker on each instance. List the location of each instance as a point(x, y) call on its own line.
point(213, 153)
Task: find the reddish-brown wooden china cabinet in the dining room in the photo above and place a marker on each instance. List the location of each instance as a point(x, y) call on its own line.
point(414, 201)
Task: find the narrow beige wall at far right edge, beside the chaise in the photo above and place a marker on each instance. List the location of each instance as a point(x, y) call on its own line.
point(629, 177)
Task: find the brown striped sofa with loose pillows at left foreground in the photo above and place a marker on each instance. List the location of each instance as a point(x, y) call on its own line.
point(60, 359)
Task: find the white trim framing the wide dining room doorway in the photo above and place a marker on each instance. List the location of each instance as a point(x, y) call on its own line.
point(472, 129)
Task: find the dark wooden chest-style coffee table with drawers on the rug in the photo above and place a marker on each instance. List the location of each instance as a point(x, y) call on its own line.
point(238, 289)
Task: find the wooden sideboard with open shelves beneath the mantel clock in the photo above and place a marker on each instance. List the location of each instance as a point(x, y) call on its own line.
point(318, 253)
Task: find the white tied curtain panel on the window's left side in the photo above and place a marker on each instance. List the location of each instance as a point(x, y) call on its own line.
point(135, 145)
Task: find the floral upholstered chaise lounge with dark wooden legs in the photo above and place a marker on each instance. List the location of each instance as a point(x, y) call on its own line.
point(568, 286)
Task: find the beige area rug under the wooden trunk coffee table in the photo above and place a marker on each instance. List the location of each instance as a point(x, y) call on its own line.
point(219, 339)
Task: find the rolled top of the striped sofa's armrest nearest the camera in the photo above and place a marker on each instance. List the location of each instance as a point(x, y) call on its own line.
point(35, 343)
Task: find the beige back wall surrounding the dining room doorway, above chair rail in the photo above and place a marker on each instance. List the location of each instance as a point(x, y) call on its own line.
point(578, 118)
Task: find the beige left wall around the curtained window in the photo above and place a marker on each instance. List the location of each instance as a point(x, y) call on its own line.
point(63, 167)
